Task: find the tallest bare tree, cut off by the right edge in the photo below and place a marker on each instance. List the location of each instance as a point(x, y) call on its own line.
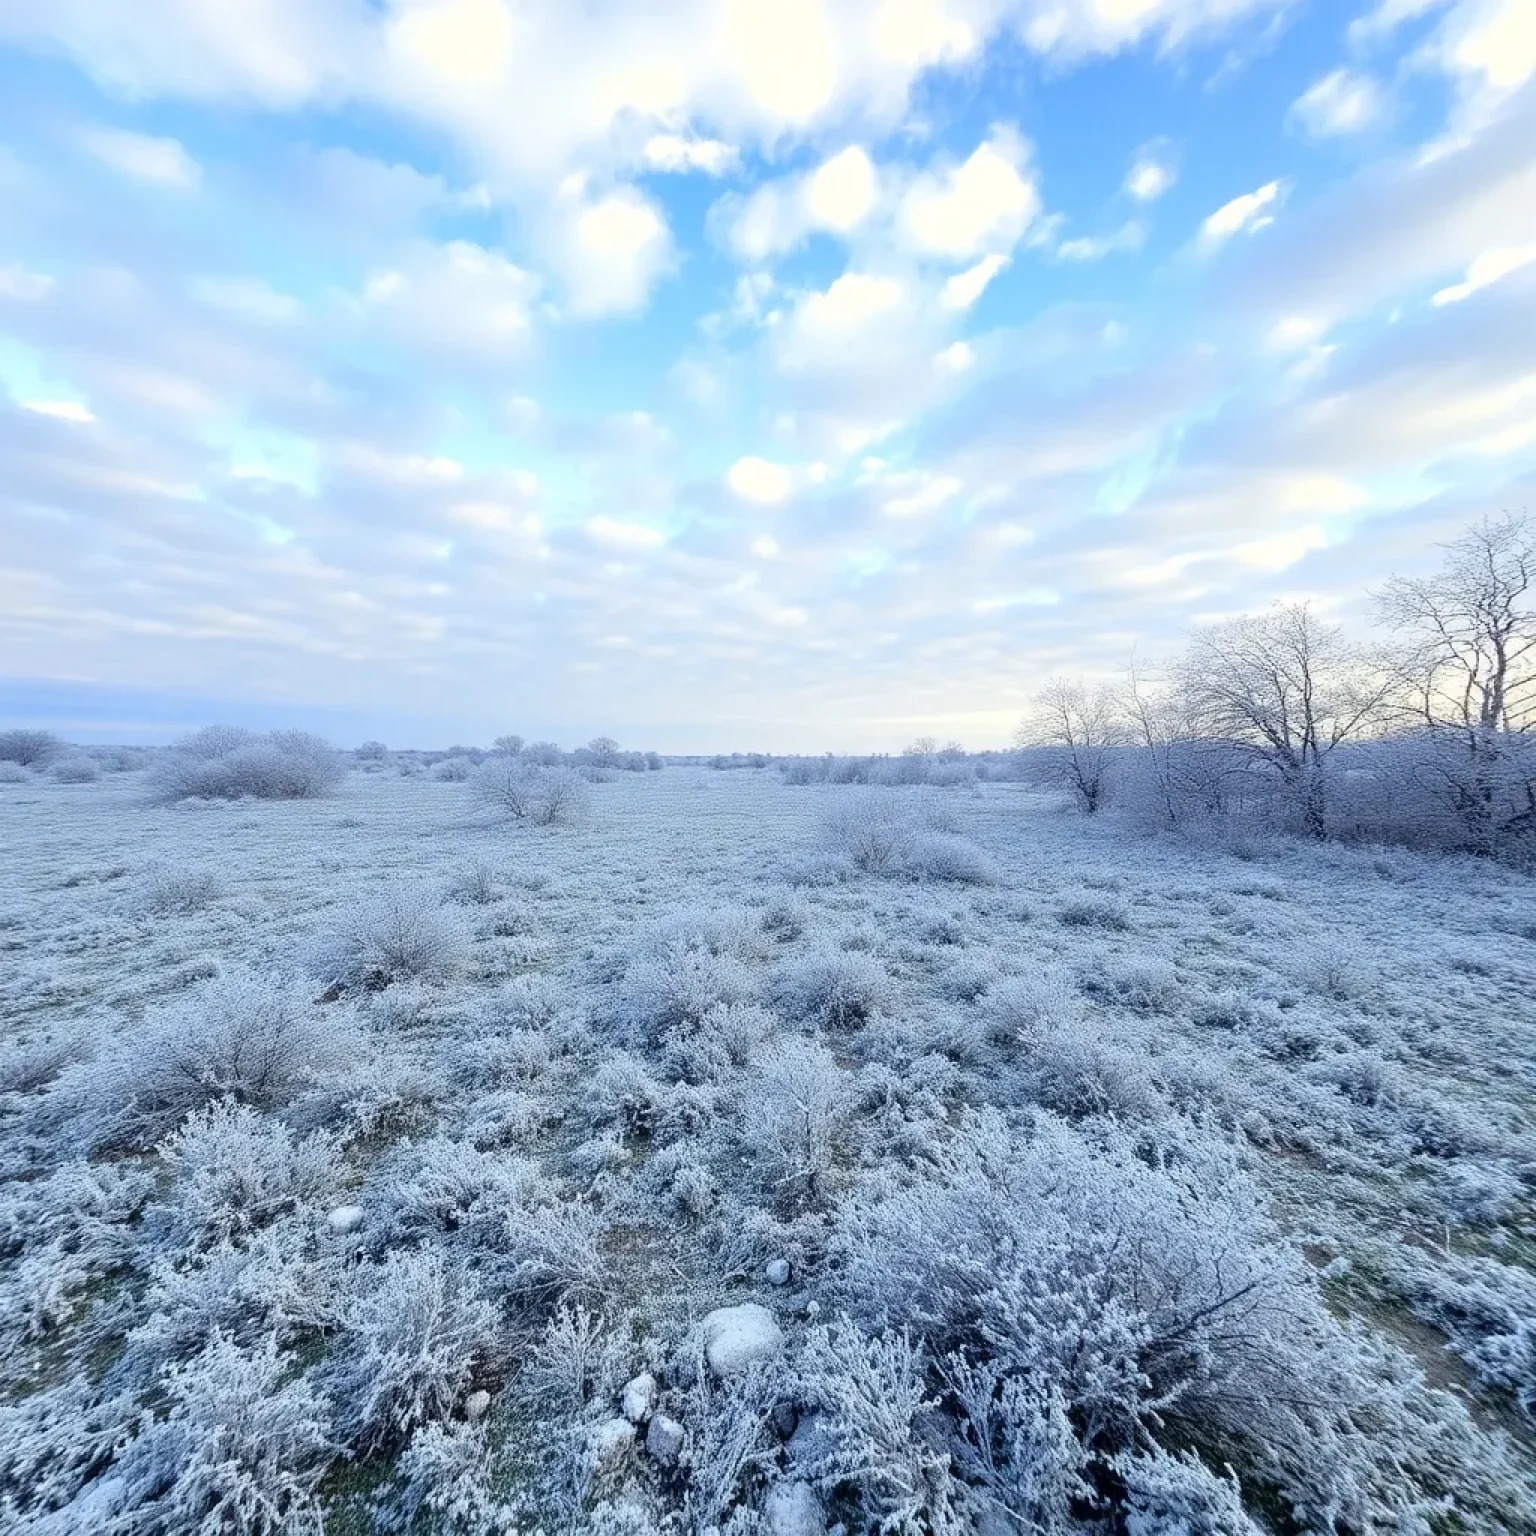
point(1469, 677)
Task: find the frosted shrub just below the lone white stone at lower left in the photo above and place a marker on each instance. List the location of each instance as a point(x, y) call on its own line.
point(414, 1334)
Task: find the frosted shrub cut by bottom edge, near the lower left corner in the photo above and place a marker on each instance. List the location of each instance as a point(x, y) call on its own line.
point(242, 1449)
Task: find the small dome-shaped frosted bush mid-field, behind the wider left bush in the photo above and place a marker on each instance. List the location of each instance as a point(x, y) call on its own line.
point(396, 936)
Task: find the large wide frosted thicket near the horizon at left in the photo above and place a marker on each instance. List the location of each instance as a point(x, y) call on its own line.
point(227, 763)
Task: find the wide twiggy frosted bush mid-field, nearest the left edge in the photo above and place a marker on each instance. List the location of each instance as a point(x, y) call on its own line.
point(243, 1039)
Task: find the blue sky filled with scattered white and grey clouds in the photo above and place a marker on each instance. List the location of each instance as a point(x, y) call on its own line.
point(733, 374)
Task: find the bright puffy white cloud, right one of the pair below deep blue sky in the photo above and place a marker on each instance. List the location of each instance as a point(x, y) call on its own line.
point(984, 205)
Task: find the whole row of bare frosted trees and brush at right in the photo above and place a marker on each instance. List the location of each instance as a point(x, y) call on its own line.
point(1425, 735)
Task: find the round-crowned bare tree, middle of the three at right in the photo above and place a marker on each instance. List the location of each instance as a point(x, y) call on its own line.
point(1288, 690)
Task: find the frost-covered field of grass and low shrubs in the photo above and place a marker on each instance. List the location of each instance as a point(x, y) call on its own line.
point(755, 1157)
